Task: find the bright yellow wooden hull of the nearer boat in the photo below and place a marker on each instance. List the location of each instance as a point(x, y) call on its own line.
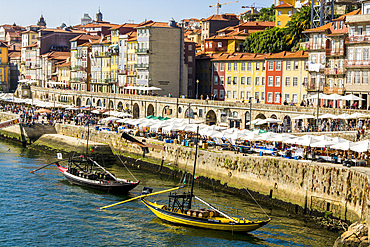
point(207, 223)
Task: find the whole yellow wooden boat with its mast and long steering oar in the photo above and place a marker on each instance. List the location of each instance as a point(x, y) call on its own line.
point(179, 211)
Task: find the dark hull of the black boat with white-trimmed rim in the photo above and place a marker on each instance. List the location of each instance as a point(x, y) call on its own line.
point(117, 187)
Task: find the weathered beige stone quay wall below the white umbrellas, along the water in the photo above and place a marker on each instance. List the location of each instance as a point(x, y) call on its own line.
point(310, 185)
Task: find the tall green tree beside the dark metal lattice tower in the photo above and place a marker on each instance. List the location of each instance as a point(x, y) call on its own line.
point(299, 22)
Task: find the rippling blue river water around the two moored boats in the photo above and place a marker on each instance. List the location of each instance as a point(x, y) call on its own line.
point(43, 209)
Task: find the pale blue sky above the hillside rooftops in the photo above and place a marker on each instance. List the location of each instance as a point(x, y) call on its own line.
point(27, 12)
